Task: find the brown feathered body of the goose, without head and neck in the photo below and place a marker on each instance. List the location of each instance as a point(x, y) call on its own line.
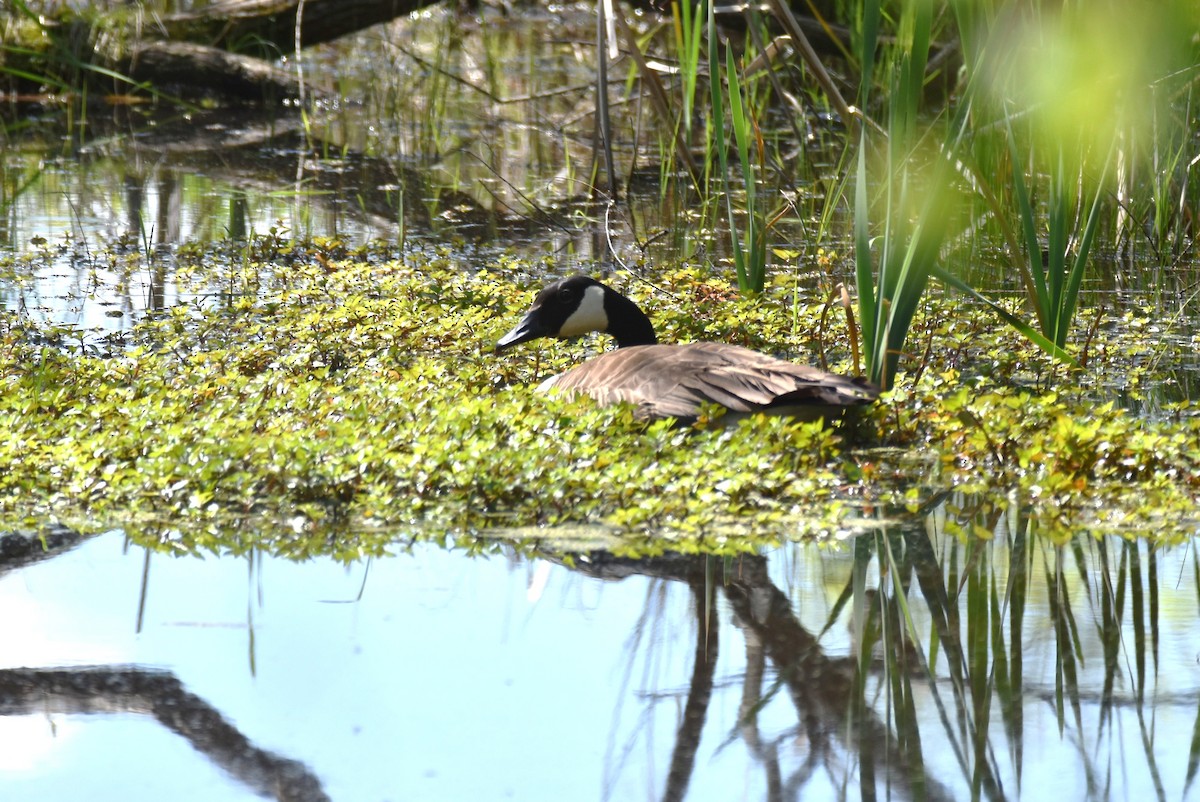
point(675, 381)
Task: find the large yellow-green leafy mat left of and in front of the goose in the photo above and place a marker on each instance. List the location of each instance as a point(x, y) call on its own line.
point(362, 396)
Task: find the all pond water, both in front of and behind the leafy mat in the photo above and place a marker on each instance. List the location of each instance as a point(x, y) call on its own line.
point(903, 665)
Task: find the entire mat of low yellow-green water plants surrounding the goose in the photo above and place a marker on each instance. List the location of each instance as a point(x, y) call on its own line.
point(328, 408)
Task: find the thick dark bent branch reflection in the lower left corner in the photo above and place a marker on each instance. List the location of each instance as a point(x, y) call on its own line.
point(110, 691)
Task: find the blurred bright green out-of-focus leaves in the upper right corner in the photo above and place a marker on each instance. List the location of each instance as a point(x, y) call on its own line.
point(1058, 130)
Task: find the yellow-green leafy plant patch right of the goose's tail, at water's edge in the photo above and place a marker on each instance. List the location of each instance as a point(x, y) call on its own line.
point(1073, 466)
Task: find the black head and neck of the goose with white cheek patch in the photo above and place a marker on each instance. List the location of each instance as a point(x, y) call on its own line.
point(574, 307)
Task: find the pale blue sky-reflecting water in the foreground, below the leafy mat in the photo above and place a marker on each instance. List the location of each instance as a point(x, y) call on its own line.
point(433, 677)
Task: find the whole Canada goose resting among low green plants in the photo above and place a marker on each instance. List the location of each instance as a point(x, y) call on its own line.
point(675, 381)
